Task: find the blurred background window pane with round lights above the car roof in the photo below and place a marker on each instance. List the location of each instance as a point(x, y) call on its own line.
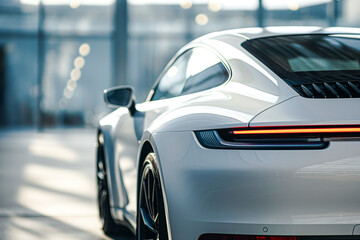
point(190, 17)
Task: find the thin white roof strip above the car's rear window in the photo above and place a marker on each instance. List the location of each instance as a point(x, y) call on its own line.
point(257, 32)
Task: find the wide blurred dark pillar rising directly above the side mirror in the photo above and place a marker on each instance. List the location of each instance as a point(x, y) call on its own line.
point(120, 42)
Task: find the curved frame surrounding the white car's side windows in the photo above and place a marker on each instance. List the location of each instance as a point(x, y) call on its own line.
point(181, 53)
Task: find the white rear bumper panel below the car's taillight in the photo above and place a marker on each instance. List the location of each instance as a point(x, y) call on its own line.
point(258, 192)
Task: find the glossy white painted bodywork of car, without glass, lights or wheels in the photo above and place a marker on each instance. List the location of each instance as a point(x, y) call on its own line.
point(255, 192)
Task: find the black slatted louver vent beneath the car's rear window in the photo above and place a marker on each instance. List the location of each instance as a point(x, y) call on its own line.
point(346, 89)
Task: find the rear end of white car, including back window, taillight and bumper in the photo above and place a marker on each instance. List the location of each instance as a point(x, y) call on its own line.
point(292, 173)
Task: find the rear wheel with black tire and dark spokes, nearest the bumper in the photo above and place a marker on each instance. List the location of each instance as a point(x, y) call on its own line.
point(151, 218)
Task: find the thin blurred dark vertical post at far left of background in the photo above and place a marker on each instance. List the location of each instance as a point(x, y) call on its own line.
point(40, 64)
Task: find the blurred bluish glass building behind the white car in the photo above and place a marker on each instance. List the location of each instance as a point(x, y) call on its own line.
point(57, 56)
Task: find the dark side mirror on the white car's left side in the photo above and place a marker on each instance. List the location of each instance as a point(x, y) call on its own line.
point(122, 96)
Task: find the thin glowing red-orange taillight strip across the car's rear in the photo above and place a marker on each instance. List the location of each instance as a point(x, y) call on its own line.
point(299, 130)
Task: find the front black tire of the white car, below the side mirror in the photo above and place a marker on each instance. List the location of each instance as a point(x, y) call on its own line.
point(108, 224)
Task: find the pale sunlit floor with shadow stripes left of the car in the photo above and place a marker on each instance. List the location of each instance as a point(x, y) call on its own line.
point(47, 185)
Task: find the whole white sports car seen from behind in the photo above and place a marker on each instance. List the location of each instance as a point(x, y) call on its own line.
point(249, 134)
